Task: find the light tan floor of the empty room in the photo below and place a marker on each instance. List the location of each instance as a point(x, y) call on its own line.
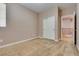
point(40, 47)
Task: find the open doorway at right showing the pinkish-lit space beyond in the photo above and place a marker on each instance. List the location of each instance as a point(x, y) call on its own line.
point(67, 28)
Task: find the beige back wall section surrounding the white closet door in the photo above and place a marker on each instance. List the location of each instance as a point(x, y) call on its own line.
point(51, 12)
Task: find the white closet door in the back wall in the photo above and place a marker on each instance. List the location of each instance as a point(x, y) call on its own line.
point(49, 27)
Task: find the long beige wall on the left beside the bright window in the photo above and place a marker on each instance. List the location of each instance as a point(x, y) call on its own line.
point(21, 24)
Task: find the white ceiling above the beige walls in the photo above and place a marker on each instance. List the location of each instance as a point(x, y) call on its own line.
point(39, 7)
